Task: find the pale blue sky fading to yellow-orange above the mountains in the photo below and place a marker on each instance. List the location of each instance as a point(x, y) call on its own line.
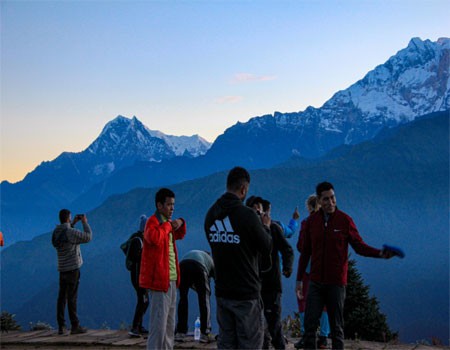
point(183, 67)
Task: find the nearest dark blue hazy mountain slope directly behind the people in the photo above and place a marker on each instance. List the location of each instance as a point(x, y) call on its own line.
point(395, 187)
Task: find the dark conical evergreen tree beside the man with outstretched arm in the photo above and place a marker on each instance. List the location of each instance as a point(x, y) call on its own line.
point(363, 319)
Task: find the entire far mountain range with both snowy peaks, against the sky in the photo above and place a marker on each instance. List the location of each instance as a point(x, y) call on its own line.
point(127, 155)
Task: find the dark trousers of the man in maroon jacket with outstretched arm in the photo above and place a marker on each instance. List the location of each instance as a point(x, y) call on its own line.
point(333, 297)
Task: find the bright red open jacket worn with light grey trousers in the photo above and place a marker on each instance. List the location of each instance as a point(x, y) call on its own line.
point(154, 272)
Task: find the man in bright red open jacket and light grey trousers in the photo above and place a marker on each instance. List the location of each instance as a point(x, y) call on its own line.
point(160, 272)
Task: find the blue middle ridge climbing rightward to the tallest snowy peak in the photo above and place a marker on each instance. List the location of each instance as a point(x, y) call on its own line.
point(269, 140)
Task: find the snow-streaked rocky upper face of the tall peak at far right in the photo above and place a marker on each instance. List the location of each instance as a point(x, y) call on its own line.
point(413, 82)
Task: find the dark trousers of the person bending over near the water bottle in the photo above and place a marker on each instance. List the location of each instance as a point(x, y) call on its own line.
point(194, 276)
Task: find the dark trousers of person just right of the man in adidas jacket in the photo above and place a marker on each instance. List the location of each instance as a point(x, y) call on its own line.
point(272, 314)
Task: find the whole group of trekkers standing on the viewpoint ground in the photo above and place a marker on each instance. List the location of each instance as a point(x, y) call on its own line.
point(246, 245)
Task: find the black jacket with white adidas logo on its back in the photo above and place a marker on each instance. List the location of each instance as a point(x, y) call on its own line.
point(238, 240)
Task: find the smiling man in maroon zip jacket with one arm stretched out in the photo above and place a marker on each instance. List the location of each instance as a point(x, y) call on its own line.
point(327, 234)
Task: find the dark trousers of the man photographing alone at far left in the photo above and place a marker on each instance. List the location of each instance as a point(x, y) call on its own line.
point(68, 293)
